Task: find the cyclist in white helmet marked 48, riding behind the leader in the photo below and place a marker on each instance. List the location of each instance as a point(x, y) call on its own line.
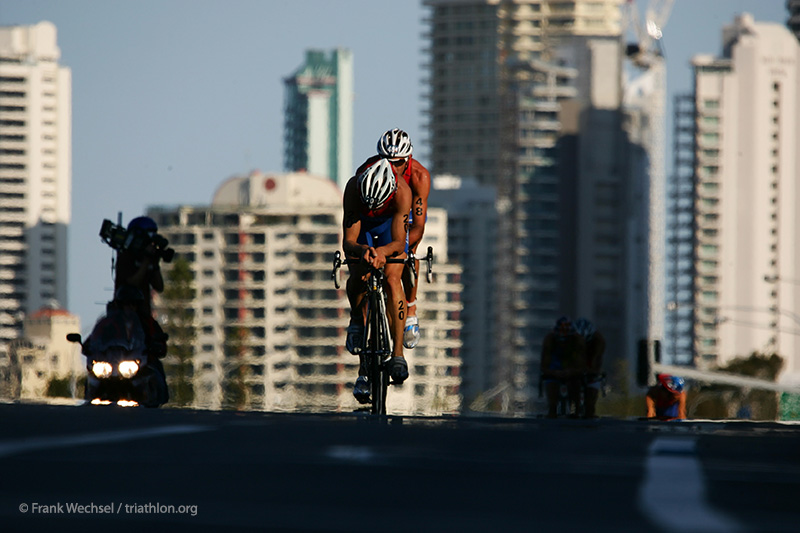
point(395, 145)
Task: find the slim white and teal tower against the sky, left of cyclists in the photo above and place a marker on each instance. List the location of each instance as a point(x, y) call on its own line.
point(318, 116)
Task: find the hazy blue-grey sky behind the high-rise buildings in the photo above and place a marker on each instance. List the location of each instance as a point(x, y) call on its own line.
point(171, 97)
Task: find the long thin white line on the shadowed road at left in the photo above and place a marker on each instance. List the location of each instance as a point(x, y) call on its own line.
point(13, 447)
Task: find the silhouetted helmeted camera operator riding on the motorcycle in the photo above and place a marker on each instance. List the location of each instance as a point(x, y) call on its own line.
point(140, 269)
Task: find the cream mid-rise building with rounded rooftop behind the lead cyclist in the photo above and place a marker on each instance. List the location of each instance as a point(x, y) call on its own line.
point(268, 318)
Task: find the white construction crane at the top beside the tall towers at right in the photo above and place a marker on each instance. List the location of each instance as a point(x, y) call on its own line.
point(648, 35)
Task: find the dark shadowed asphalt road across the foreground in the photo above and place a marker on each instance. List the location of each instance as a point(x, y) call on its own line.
point(67, 468)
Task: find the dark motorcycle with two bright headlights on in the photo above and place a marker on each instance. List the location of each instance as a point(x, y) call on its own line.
point(121, 368)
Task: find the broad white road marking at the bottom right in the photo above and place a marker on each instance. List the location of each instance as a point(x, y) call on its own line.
point(673, 494)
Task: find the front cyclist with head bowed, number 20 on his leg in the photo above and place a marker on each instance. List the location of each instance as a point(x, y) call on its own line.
point(376, 208)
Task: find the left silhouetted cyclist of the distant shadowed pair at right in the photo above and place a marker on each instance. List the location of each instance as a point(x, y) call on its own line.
point(563, 352)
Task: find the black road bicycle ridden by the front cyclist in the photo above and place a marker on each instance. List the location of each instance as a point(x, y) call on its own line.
point(377, 340)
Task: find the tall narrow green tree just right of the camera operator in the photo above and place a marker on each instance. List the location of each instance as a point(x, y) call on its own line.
point(177, 311)
